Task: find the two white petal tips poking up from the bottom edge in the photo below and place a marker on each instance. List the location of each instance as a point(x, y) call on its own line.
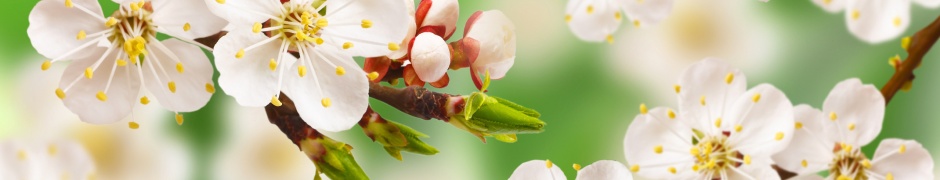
point(546, 170)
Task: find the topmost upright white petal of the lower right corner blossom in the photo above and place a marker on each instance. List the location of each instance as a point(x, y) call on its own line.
point(855, 104)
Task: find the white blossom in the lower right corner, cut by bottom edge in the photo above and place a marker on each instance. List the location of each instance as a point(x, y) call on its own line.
point(832, 139)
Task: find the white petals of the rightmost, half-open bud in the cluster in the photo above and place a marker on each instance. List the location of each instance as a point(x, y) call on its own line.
point(496, 35)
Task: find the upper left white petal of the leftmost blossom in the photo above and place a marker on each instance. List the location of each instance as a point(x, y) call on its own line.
point(54, 28)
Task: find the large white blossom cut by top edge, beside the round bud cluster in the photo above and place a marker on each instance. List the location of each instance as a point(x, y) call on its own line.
point(255, 63)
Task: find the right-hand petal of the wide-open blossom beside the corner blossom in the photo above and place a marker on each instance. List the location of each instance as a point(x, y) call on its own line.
point(766, 124)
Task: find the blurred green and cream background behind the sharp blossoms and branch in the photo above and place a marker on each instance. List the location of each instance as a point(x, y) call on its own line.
point(587, 92)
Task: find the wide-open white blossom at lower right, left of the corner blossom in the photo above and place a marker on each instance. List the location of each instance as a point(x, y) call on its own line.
point(733, 132)
